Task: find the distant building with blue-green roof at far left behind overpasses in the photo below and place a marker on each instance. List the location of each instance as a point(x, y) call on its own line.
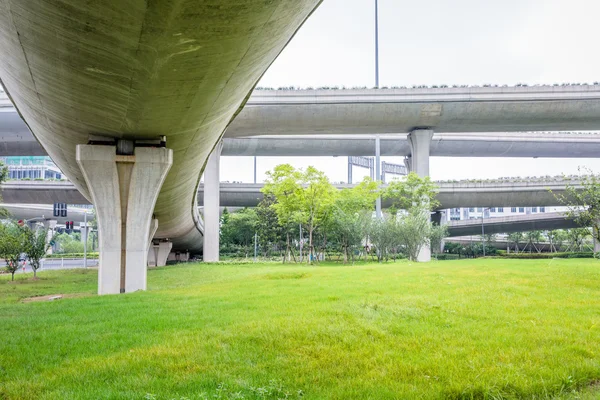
point(32, 168)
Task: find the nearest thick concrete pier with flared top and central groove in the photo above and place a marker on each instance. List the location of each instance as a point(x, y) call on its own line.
point(124, 183)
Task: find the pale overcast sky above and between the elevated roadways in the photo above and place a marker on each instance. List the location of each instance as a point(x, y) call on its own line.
point(438, 42)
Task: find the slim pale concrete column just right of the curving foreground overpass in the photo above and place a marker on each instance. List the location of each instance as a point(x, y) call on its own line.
point(211, 205)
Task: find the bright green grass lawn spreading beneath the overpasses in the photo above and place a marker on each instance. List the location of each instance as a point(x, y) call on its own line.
point(467, 329)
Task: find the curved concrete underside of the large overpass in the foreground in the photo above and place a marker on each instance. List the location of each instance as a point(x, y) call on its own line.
point(141, 70)
